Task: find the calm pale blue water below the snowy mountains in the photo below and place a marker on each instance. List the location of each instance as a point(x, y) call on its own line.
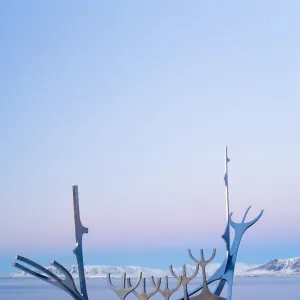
point(258, 288)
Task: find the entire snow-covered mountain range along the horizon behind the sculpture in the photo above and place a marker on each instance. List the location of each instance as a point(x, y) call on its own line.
point(275, 267)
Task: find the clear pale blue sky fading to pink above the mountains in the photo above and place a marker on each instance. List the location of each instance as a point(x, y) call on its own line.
point(133, 101)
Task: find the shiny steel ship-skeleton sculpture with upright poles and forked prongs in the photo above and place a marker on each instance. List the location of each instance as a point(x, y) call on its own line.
point(224, 274)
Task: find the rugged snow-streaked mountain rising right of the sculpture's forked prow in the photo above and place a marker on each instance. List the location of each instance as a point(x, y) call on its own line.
point(289, 266)
